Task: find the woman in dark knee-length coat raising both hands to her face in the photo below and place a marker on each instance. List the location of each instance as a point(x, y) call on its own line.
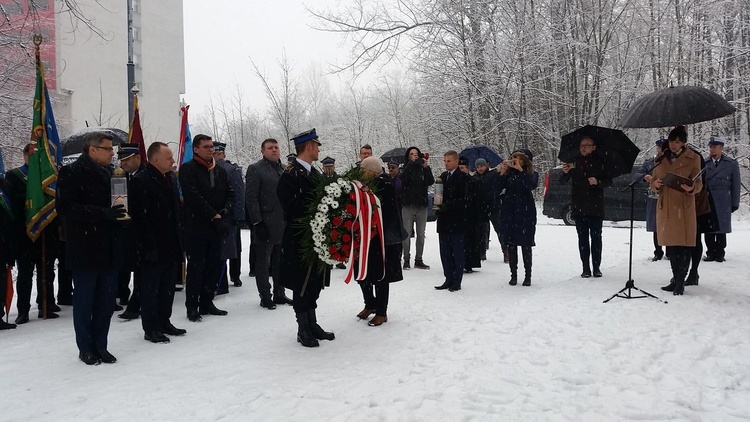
point(518, 215)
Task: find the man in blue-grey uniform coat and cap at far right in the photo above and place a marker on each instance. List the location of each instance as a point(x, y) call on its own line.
point(723, 179)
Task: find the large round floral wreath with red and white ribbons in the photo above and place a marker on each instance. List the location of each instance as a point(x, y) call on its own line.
point(340, 222)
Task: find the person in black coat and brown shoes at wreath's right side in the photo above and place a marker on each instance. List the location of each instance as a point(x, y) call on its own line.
point(375, 287)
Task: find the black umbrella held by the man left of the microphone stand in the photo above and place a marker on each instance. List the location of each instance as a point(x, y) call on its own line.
point(617, 150)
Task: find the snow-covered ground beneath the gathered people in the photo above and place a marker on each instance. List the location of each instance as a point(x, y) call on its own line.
point(491, 352)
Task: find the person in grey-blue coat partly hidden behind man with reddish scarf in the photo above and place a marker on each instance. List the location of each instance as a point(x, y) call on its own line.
point(231, 245)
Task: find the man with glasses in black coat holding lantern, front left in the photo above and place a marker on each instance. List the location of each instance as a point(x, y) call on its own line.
point(91, 224)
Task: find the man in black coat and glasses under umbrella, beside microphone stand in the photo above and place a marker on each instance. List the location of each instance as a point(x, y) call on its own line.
point(589, 178)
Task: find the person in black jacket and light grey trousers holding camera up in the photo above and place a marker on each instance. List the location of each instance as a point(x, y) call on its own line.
point(416, 176)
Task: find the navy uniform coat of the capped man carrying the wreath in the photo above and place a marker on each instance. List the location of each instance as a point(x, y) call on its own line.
point(295, 190)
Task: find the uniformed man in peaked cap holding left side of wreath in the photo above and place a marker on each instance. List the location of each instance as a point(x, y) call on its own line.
point(294, 191)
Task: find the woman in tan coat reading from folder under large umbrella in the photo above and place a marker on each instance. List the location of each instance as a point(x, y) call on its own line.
point(675, 210)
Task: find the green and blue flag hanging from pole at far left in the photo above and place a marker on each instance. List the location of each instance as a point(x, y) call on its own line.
point(45, 159)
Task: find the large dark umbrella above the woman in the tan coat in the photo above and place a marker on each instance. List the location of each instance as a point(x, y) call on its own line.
point(675, 106)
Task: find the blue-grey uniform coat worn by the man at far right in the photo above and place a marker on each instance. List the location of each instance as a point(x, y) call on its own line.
point(723, 182)
